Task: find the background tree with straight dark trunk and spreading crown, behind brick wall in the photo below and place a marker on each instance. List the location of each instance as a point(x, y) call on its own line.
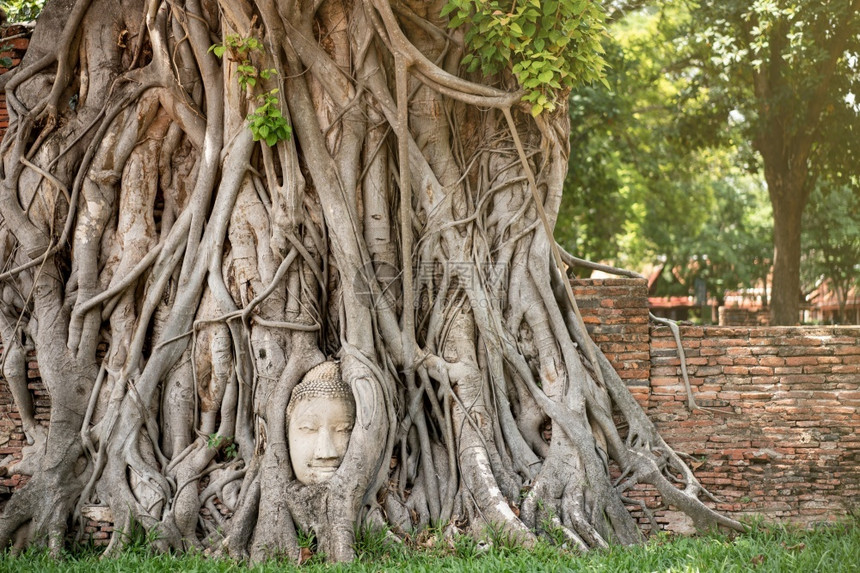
point(788, 69)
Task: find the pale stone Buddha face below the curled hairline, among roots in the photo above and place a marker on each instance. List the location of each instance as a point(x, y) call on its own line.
point(319, 428)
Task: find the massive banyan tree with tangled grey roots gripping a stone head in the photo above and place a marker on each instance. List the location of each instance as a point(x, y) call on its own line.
point(291, 262)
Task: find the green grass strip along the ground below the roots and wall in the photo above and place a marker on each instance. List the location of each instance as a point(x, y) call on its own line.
point(830, 549)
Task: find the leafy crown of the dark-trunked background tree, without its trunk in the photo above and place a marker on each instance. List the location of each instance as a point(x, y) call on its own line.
point(787, 68)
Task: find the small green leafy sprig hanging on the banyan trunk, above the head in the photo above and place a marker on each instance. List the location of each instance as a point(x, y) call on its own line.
point(266, 122)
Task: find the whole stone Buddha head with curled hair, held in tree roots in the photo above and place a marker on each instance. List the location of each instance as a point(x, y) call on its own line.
point(320, 417)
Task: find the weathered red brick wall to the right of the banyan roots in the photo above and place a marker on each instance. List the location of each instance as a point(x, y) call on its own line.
point(778, 434)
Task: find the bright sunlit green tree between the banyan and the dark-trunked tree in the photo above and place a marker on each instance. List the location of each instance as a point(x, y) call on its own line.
point(646, 185)
